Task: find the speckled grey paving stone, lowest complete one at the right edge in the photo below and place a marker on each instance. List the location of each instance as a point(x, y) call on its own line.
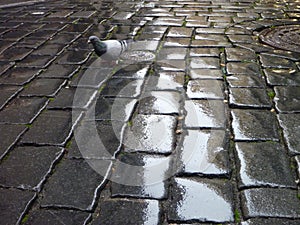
point(267, 202)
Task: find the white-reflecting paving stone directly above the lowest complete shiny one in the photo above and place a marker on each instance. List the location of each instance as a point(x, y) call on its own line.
point(204, 152)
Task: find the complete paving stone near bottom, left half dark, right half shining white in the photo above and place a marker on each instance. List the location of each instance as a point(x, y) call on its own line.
point(149, 181)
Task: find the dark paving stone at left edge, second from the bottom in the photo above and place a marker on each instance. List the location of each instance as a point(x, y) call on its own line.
point(27, 167)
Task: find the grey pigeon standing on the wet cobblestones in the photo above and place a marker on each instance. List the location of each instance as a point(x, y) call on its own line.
point(109, 49)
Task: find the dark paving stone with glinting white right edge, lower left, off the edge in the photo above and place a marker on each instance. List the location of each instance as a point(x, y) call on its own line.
point(69, 186)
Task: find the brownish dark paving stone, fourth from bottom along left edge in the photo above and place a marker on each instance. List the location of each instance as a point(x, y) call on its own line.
point(22, 110)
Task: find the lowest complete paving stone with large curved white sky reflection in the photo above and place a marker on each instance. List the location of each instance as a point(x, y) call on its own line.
point(210, 201)
